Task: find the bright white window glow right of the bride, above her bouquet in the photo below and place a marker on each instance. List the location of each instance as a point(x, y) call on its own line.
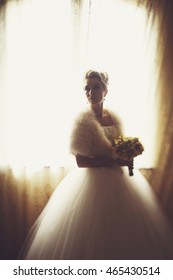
point(127, 56)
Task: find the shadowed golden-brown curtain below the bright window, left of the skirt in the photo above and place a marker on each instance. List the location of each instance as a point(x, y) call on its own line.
point(22, 199)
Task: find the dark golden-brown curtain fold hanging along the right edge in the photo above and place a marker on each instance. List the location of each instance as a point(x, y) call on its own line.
point(163, 181)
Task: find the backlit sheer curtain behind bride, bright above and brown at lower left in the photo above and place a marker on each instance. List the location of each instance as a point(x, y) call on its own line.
point(46, 46)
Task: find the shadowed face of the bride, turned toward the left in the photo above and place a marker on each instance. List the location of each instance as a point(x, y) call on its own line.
point(95, 91)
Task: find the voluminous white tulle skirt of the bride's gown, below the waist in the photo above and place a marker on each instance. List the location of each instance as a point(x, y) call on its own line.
point(101, 213)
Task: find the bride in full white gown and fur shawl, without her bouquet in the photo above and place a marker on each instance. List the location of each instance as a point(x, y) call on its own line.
point(98, 211)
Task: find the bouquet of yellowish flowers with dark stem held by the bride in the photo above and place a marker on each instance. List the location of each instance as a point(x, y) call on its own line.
point(127, 148)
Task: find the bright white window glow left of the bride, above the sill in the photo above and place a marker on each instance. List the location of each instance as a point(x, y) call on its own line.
point(37, 83)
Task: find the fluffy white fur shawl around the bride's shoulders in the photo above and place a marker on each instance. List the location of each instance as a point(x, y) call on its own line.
point(89, 138)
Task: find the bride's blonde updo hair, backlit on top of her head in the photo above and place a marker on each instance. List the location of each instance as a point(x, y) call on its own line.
point(102, 76)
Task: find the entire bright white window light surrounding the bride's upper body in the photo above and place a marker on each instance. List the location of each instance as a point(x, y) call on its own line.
point(44, 83)
